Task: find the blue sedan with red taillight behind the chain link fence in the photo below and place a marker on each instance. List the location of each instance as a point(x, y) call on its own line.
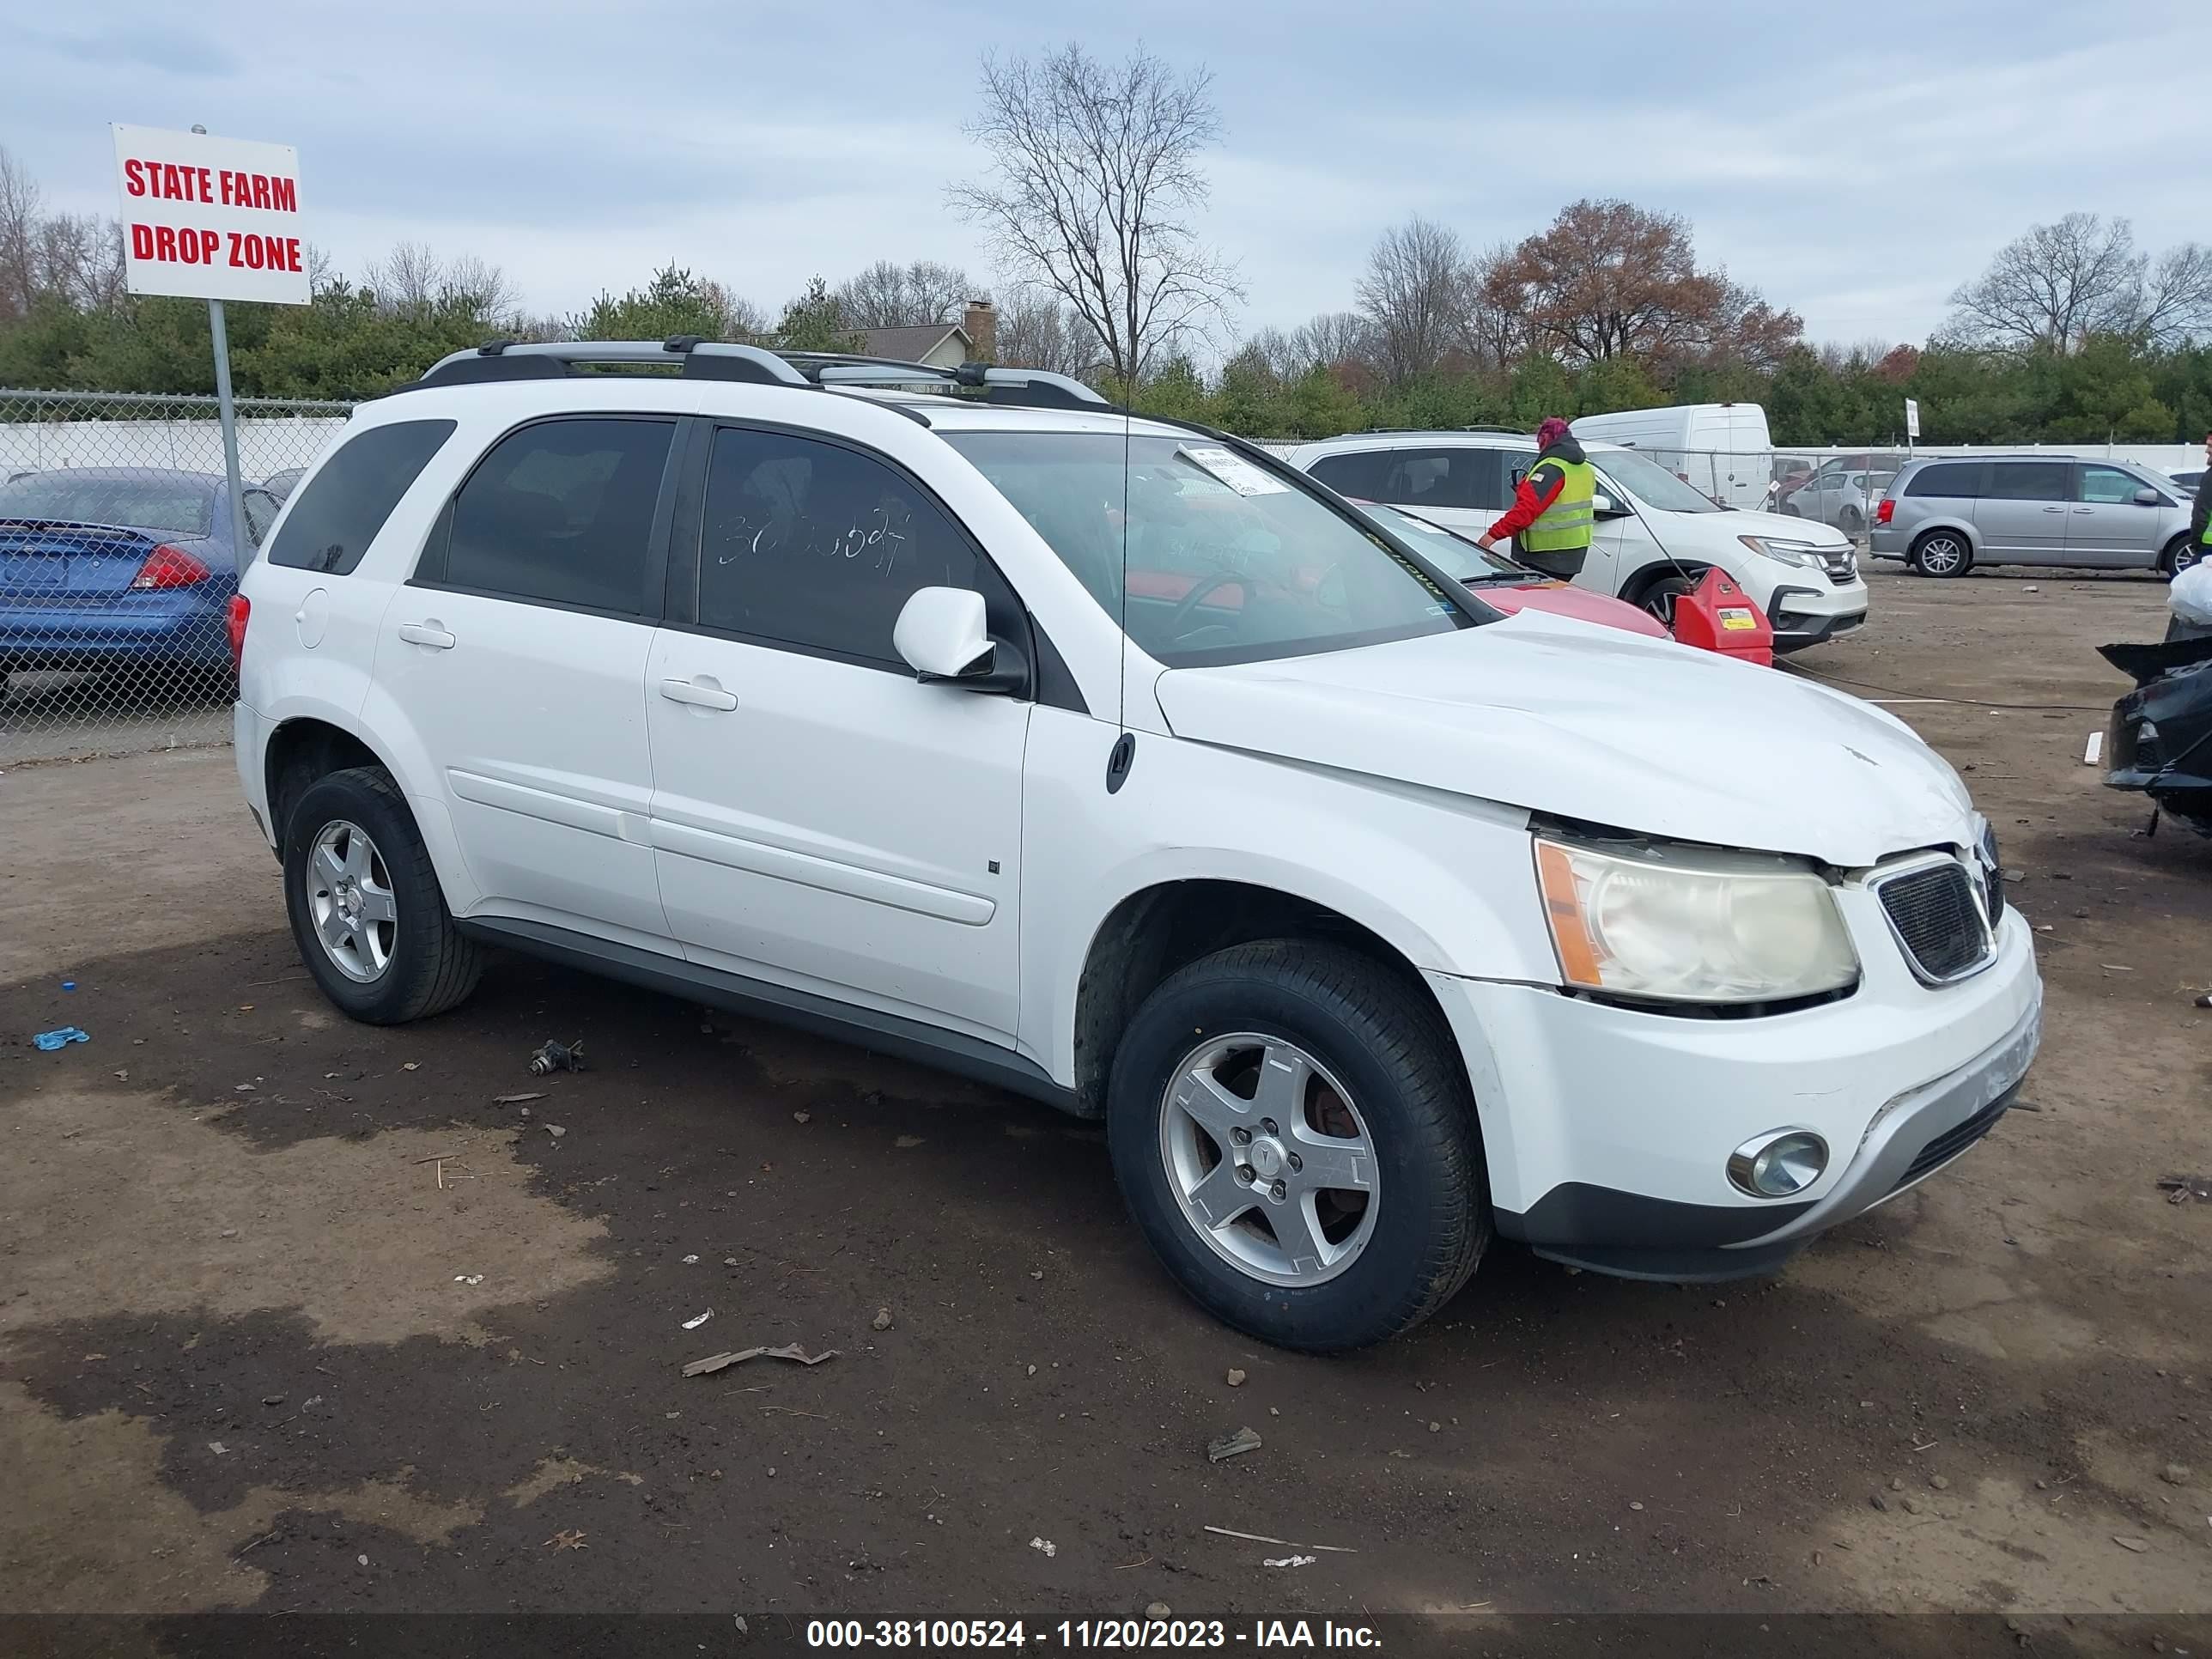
point(121, 567)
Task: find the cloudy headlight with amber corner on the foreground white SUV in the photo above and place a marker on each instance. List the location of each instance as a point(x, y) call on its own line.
point(1693, 926)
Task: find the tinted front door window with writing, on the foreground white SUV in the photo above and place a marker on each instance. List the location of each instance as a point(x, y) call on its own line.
point(820, 547)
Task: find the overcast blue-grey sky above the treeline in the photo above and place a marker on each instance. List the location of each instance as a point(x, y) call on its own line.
point(1853, 163)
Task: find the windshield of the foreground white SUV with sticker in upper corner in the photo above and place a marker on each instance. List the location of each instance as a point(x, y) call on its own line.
point(1224, 561)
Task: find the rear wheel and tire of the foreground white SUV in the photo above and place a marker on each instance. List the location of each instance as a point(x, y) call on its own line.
point(355, 868)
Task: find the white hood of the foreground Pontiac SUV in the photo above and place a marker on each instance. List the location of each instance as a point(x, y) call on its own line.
point(1563, 718)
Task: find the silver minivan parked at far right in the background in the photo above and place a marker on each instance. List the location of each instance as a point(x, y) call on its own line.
point(1943, 517)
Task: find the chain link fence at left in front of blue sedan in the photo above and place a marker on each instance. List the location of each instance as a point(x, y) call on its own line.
point(118, 559)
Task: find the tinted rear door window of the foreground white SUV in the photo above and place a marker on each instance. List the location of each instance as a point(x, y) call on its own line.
point(563, 514)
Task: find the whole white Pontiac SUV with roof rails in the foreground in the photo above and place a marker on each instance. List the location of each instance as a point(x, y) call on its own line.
point(1114, 762)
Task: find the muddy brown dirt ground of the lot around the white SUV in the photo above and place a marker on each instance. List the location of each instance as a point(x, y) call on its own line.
point(295, 1315)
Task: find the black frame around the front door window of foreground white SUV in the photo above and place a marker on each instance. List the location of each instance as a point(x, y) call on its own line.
point(1050, 680)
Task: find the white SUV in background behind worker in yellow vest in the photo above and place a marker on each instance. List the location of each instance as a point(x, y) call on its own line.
point(1656, 536)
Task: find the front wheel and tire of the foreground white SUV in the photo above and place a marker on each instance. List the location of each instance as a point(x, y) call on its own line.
point(1381, 1063)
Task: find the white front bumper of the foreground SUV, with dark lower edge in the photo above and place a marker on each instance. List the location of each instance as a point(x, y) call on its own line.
point(1609, 1129)
